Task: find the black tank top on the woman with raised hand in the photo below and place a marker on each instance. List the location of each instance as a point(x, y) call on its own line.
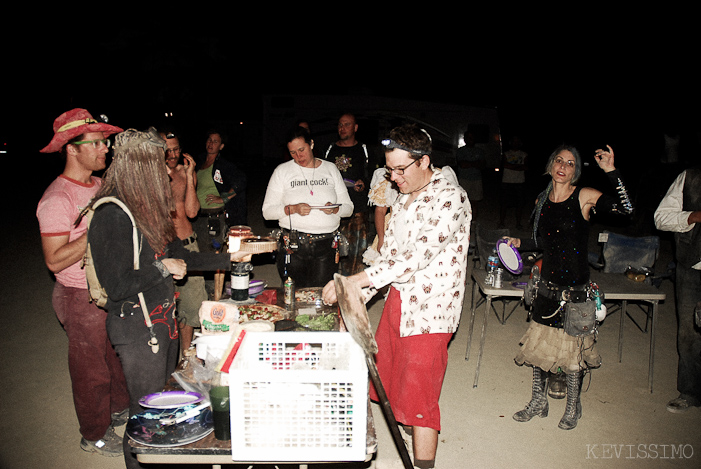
point(564, 237)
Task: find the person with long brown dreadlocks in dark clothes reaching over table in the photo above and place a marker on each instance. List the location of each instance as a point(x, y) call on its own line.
point(138, 177)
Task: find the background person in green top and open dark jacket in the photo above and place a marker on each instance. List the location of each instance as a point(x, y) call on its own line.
point(221, 191)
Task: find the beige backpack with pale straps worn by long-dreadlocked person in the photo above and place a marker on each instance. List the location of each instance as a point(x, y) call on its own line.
point(97, 292)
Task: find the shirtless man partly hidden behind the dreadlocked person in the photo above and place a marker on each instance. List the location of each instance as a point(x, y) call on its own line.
point(183, 183)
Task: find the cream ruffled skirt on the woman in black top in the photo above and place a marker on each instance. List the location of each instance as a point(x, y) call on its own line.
point(549, 348)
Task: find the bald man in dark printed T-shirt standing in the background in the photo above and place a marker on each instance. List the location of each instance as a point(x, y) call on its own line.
point(352, 159)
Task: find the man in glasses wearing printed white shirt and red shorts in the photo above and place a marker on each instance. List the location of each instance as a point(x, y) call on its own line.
point(424, 259)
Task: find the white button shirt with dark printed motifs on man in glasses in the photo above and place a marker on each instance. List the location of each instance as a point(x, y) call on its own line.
point(429, 268)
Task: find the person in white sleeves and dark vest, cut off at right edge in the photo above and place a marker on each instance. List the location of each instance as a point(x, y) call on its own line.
point(680, 212)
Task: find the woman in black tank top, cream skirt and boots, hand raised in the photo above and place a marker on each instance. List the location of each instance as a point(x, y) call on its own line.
point(561, 232)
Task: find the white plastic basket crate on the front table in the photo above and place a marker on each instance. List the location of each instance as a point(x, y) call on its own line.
point(298, 396)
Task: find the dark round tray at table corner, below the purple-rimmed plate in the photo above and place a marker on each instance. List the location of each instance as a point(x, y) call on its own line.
point(145, 428)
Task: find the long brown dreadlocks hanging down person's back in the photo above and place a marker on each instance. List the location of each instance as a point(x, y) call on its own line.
point(139, 178)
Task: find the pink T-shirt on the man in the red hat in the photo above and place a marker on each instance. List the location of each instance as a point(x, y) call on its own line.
point(57, 212)
